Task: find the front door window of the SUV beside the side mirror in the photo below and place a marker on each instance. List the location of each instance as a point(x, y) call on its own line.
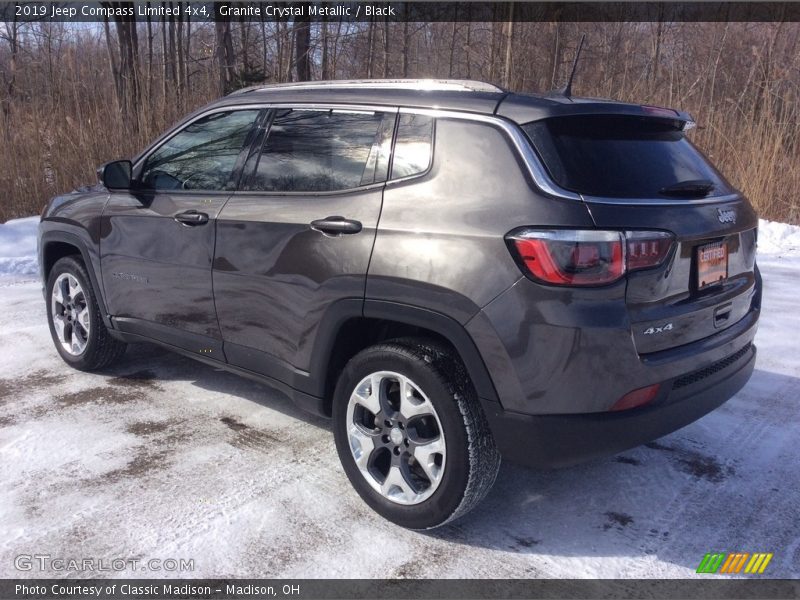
point(202, 156)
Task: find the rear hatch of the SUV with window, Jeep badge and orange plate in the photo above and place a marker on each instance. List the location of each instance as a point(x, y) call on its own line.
point(640, 172)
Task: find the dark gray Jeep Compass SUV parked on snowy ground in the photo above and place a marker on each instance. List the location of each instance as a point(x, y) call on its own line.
point(451, 271)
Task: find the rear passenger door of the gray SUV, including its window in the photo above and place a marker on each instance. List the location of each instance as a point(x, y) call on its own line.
point(298, 236)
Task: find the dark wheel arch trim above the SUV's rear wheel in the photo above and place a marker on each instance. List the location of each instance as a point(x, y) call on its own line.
point(350, 326)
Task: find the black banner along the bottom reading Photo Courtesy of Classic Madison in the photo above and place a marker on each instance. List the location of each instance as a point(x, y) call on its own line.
point(325, 589)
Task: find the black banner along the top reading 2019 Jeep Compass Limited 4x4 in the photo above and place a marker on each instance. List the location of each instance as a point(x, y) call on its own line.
point(405, 11)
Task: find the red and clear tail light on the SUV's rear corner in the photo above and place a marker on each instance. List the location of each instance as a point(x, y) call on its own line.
point(586, 257)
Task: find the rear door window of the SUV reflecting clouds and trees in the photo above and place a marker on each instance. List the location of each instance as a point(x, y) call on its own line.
point(321, 151)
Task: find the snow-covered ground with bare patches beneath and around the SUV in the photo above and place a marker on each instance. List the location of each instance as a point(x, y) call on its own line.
point(166, 458)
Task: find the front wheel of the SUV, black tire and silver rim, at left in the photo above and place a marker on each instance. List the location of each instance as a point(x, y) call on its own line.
point(76, 325)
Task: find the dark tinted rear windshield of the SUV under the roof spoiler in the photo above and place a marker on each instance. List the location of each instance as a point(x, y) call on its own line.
point(620, 156)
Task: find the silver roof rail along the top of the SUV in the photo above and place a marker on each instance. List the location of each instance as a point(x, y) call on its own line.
point(458, 85)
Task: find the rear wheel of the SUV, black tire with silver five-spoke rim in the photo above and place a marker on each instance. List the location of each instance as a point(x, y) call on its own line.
point(446, 461)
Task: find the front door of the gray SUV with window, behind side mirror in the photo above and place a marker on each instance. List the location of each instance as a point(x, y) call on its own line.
point(157, 240)
